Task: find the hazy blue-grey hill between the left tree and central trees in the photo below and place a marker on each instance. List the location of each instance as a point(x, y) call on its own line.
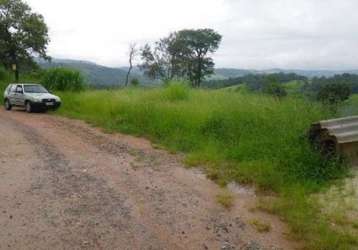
point(95, 74)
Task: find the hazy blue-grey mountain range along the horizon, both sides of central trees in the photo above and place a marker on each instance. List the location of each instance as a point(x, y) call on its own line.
point(99, 75)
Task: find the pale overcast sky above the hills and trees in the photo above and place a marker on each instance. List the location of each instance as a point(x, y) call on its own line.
point(260, 34)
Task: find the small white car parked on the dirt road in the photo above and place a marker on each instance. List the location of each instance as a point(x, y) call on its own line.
point(30, 96)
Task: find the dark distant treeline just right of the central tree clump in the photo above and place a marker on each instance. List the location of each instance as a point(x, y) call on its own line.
point(255, 81)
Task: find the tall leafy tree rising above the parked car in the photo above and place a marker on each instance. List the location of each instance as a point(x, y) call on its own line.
point(24, 35)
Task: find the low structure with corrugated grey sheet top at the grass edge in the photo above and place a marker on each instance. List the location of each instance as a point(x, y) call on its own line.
point(337, 137)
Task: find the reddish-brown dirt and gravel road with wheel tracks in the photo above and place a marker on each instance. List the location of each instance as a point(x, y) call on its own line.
point(66, 185)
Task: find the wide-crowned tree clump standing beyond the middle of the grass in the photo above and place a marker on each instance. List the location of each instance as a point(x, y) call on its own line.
point(183, 54)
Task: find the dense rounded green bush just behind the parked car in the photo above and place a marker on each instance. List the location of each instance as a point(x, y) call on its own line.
point(63, 79)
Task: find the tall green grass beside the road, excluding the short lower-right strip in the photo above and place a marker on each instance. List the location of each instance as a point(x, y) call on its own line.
point(247, 131)
